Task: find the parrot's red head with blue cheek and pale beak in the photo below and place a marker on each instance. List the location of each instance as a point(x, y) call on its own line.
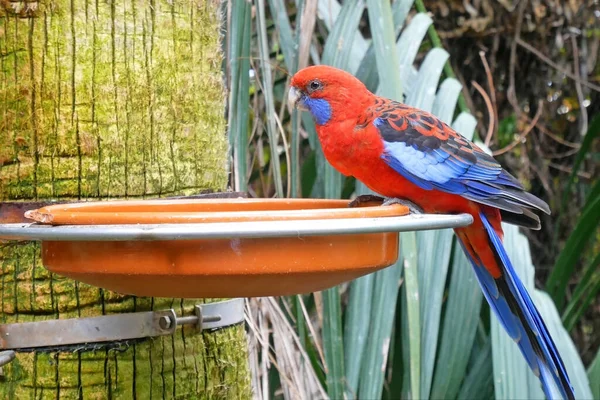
point(327, 93)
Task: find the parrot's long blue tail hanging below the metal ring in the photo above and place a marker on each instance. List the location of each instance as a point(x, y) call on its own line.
point(514, 308)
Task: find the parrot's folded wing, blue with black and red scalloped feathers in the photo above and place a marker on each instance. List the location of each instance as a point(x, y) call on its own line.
point(431, 155)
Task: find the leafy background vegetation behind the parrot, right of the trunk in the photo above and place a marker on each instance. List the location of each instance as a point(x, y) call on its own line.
point(522, 77)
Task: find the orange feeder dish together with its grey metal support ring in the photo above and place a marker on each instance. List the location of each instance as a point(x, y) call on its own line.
point(207, 248)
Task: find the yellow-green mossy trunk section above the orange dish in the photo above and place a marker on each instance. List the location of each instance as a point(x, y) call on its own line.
point(112, 102)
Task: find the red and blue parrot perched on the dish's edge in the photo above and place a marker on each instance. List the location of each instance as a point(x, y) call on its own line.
point(408, 154)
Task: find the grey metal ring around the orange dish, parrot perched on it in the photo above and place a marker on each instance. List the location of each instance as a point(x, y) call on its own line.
point(232, 230)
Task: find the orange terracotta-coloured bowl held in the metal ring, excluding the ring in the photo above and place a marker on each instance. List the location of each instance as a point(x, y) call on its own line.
point(230, 267)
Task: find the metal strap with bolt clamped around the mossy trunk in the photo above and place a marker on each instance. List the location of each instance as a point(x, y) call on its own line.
point(118, 327)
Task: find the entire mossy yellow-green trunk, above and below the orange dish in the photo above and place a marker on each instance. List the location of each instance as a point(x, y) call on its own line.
point(110, 99)
